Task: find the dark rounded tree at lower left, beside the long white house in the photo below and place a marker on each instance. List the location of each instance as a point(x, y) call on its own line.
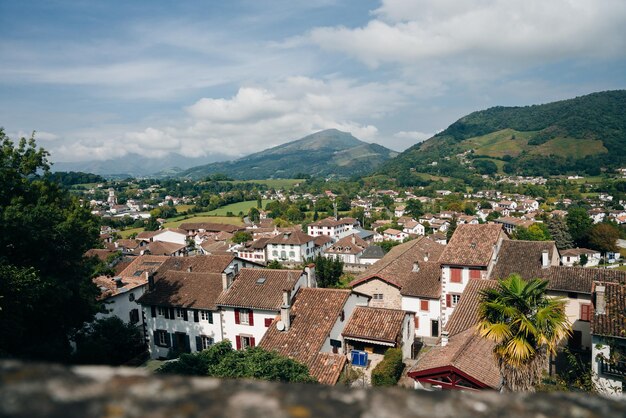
point(108, 341)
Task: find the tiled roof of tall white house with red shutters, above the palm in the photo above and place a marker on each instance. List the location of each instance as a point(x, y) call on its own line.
point(472, 245)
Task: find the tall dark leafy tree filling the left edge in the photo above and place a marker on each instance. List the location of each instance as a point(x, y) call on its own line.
point(45, 282)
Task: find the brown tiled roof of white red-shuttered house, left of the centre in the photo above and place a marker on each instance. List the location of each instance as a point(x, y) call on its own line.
point(247, 292)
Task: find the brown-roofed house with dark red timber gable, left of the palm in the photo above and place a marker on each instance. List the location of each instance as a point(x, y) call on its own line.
point(464, 360)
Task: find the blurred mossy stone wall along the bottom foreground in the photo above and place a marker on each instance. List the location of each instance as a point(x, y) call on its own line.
point(38, 390)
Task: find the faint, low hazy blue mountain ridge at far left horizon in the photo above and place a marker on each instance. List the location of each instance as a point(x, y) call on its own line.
point(135, 165)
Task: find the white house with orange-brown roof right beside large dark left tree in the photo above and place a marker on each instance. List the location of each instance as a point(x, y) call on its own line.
point(120, 293)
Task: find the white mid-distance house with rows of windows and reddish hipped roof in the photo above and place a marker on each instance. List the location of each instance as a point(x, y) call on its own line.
point(290, 246)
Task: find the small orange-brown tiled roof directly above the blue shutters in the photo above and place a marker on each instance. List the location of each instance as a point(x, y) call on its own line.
point(377, 324)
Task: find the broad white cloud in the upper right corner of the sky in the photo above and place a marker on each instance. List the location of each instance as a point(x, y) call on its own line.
point(530, 31)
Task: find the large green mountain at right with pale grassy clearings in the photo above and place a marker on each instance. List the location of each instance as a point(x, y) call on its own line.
point(581, 135)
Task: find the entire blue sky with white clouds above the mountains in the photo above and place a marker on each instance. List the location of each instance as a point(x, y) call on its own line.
point(102, 79)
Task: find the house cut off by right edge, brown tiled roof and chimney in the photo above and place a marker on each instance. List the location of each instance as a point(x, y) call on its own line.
point(608, 330)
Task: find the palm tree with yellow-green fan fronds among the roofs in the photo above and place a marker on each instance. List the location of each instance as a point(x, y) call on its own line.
point(525, 326)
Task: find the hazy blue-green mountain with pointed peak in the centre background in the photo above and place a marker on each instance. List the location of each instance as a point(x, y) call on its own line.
point(320, 154)
